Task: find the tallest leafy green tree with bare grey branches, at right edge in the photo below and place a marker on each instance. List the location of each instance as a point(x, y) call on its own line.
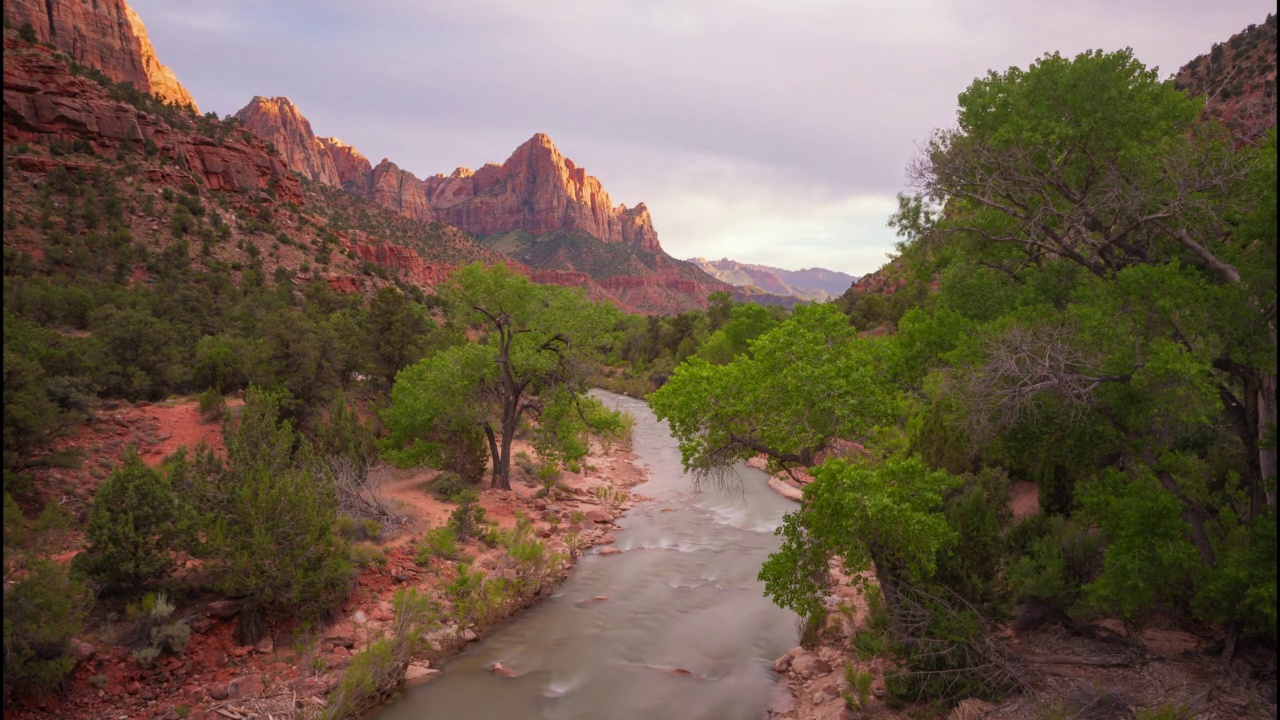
point(1163, 341)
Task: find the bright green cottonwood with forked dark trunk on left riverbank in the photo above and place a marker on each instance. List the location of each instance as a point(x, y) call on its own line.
point(536, 348)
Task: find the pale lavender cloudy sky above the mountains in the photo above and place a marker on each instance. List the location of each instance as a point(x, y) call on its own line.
point(770, 133)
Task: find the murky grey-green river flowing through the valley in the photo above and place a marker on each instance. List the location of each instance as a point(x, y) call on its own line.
point(683, 595)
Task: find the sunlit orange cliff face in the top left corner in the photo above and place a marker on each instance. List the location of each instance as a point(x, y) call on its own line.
point(104, 34)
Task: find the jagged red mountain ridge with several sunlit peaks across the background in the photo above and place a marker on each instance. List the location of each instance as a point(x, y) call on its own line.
point(538, 208)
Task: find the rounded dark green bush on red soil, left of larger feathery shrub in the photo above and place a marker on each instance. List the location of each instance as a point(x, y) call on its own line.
point(132, 528)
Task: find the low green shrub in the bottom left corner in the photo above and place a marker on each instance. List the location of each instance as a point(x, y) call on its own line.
point(43, 610)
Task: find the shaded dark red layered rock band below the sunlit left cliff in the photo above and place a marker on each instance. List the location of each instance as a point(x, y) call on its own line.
point(43, 101)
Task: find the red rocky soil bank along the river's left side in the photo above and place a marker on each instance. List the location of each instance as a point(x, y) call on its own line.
point(295, 668)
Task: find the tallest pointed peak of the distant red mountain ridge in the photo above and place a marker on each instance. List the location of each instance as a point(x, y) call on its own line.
point(540, 192)
